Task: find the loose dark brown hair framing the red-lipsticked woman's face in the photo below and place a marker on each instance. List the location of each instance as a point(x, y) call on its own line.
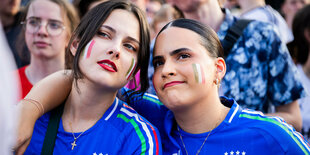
point(90, 25)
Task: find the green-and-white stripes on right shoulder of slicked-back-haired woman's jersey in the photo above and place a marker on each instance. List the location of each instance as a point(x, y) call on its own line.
point(298, 141)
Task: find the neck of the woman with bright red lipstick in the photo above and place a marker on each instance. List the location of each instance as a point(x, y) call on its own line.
point(86, 105)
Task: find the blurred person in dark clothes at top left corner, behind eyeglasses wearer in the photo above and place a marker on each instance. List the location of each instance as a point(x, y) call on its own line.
point(11, 16)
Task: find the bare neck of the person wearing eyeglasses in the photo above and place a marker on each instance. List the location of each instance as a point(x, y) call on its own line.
point(39, 69)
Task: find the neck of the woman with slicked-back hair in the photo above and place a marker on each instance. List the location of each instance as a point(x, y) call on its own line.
point(202, 117)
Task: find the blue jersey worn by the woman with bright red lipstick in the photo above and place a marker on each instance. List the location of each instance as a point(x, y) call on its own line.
point(120, 131)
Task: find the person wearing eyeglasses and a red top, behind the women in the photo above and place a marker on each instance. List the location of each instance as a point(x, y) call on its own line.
point(48, 25)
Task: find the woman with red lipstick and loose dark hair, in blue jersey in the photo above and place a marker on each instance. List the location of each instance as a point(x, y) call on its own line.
point(107, 48)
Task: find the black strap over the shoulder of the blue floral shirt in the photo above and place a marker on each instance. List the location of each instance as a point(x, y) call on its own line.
point(233, 34)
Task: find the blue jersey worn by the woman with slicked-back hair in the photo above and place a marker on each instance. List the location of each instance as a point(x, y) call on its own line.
point(243, 132)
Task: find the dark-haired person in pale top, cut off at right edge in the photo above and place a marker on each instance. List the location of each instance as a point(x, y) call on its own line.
point(300, 49)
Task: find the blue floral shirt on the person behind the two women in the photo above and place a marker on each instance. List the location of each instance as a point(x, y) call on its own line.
point(260, 71)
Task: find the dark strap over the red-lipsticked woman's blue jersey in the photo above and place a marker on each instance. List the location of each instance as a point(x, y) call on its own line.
point(51, 131)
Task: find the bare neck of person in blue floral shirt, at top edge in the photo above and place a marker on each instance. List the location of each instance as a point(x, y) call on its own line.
point(208, 13)
